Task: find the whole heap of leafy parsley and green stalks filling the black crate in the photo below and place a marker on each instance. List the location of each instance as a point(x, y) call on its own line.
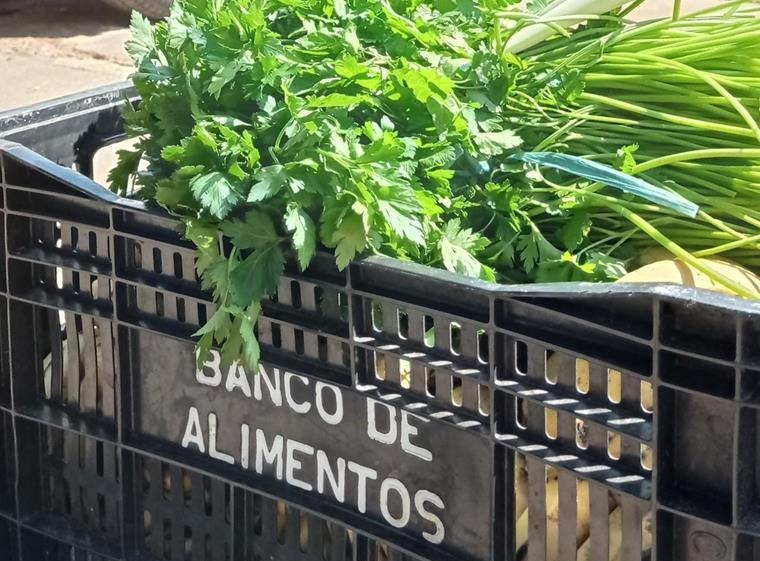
point(408, 128)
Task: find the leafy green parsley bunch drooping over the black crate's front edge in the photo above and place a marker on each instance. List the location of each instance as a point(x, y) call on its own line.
point(361, 126)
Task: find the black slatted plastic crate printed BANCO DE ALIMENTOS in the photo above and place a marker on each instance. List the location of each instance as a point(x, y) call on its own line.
point(399, 413)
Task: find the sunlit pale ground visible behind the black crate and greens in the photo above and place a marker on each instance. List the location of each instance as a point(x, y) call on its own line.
point(50, 48)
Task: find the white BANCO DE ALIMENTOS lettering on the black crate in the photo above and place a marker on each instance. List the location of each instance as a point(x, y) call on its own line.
point(344, 480)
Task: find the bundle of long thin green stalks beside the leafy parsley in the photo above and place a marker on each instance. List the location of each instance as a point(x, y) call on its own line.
point(676, 102)
